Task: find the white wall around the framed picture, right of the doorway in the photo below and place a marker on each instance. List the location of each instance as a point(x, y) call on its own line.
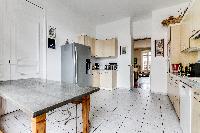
point(159, 64)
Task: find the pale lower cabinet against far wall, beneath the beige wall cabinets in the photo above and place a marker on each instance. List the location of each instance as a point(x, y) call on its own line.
point(108, 79)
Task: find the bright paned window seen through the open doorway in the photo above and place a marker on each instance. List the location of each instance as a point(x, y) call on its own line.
point(146, 60)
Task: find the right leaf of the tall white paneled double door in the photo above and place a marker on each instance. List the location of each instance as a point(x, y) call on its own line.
point(25, 47)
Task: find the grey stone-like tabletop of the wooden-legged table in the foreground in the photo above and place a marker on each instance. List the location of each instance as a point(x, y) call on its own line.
point(36, 96)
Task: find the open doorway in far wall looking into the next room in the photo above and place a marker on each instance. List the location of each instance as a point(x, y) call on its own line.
point(142, 63)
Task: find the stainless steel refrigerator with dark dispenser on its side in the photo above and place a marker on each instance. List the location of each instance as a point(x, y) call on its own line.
point(75, 64)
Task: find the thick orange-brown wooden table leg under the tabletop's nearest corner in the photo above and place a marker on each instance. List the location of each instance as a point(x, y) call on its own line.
point(39, 124)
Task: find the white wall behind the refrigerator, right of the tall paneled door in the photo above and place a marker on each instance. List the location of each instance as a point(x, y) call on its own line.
point(68, 25)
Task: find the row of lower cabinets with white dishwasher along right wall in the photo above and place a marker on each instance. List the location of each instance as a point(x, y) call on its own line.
point(186, 102)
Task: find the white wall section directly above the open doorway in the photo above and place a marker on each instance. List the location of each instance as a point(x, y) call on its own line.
point(142, 28)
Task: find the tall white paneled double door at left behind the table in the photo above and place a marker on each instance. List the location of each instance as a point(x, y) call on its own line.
point(21, 56)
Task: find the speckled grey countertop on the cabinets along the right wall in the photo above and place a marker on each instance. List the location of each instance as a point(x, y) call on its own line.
point(193, 82)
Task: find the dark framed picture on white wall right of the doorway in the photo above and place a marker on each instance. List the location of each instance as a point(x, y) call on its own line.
point(159, 47)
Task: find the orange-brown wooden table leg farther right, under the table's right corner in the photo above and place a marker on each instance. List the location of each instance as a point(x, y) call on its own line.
point(85, 113)
